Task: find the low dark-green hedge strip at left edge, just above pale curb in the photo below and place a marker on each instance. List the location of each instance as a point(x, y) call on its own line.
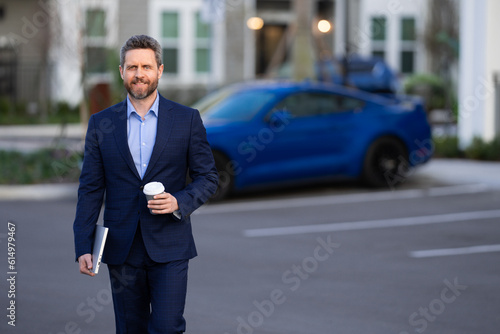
point(44, 166)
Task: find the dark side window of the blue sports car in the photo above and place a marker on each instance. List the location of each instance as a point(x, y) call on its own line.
point(315, 104)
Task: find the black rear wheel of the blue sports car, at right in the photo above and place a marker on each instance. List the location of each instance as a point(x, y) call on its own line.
point(386, 163)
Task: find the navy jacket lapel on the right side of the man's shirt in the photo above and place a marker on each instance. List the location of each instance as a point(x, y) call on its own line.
point(163, 129)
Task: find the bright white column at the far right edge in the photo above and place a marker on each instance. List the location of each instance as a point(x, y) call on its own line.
point(479, 60)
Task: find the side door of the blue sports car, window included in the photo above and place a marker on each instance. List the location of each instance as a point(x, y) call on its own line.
point(305, 135)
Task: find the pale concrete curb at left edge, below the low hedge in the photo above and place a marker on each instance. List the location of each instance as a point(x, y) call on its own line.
point(39, 192)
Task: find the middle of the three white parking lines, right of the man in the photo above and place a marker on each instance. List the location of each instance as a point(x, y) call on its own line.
point(373, 224)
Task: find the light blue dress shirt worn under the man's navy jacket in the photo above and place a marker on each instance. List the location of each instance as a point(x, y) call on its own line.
point(141, 134)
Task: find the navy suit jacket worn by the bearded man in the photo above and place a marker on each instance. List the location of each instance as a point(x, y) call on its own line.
point(109, 175)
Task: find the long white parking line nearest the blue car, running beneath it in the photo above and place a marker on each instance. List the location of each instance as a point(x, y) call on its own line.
point(341, 199)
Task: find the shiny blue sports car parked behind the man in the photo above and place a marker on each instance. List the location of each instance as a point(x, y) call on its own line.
point(274, 133)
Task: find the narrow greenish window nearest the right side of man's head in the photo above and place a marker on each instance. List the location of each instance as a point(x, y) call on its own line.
point(170, 39)
